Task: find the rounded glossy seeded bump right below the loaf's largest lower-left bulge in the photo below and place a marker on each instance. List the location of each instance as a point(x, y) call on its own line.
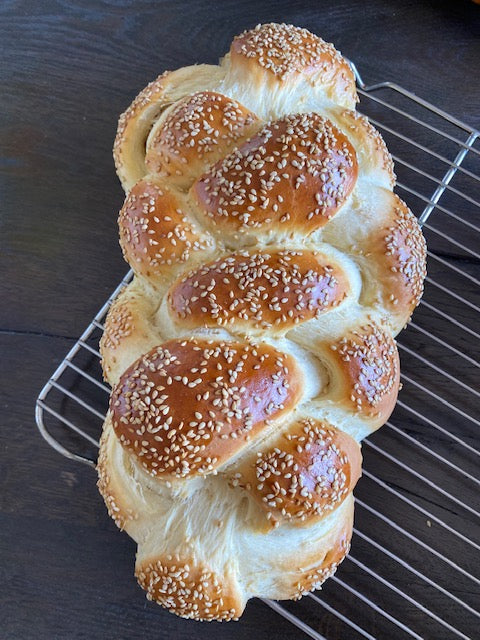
point(304, 473)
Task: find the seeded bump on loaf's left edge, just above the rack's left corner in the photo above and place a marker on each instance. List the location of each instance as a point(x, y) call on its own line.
point(155, 233)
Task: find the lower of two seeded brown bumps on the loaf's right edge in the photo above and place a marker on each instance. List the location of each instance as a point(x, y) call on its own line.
point(367, 362)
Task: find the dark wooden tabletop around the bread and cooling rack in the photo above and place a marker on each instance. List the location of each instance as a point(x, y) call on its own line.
point(68, 69)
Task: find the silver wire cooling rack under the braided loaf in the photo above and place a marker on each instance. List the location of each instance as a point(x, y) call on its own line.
point(414, 567)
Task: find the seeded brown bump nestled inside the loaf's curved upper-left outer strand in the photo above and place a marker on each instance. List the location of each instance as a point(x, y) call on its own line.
point(198, 131)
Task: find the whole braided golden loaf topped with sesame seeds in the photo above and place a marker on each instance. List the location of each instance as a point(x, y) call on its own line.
point(254, 348)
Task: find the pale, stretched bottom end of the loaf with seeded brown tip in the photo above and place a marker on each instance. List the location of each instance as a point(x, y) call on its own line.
point(230, 531)
